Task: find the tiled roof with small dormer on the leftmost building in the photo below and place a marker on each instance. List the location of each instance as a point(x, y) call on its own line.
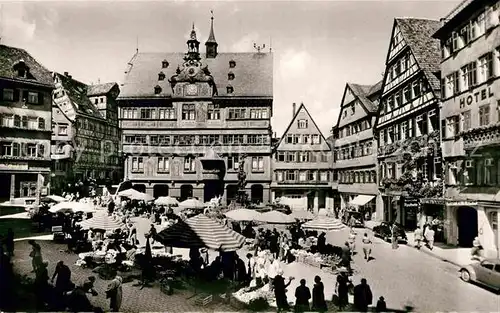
point(10, 56)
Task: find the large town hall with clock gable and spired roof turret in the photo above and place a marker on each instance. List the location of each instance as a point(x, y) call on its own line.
point(190, 119)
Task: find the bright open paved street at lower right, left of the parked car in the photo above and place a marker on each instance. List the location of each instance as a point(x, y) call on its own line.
point(406, 276)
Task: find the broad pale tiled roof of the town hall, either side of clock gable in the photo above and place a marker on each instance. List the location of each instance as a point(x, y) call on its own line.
point(253, 74)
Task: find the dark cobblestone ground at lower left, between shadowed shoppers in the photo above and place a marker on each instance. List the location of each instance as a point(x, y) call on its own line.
point(134, 299)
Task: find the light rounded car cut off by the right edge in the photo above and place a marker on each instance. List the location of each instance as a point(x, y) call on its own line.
point(486, 272)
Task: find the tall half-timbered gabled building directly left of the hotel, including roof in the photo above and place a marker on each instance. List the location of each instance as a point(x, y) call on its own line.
point(408, 126)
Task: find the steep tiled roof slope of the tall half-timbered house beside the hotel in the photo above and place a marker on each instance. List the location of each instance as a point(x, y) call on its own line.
point(417, 34)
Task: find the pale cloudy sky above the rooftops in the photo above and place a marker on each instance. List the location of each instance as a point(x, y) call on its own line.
point(317, 46)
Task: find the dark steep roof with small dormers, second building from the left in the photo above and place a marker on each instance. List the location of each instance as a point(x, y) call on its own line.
point(77, 93)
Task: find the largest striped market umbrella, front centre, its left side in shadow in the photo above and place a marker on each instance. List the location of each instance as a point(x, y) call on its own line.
point(201, 231)
